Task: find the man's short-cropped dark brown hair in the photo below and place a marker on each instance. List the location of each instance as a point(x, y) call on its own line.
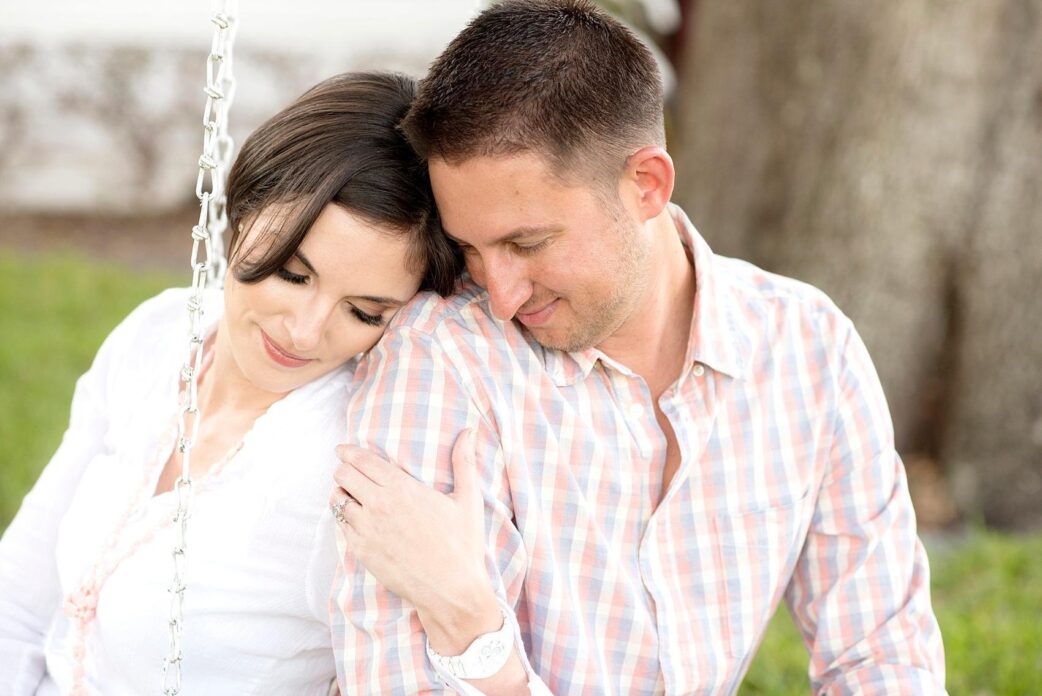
point(561, 79)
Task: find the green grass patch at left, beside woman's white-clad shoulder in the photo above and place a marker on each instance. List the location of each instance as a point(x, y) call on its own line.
point(55, 313)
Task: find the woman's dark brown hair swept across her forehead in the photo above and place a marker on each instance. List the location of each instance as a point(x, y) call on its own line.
point(339, 143)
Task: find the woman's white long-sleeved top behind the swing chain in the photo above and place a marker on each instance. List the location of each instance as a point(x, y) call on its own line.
point(261, 548)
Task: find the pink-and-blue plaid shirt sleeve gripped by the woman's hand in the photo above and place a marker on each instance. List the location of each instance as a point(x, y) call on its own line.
point(411, 405)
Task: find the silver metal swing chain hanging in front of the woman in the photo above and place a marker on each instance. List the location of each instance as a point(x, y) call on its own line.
point(209, 266)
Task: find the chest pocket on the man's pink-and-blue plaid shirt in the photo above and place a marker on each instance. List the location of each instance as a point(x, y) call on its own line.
point(756, 554)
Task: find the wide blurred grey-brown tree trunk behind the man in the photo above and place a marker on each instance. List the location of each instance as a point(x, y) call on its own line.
point(891, 154)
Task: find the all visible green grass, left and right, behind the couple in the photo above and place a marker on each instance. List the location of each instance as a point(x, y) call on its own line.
point(55, 312)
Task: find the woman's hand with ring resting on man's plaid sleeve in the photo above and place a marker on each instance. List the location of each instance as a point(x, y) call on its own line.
point(426, 546)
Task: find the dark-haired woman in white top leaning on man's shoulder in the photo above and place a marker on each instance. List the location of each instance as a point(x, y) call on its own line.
point(334, 230)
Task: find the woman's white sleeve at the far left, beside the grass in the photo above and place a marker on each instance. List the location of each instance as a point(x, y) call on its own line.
point(30, 590)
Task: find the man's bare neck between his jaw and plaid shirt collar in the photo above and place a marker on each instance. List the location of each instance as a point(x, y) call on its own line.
point(654, 341)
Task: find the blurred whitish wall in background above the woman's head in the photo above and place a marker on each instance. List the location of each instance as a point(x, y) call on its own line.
point(102, 102)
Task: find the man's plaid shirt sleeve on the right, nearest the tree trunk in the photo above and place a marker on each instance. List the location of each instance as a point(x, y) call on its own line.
point(860, 594)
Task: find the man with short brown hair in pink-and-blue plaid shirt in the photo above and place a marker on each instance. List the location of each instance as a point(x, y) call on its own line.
point(671, 442)
